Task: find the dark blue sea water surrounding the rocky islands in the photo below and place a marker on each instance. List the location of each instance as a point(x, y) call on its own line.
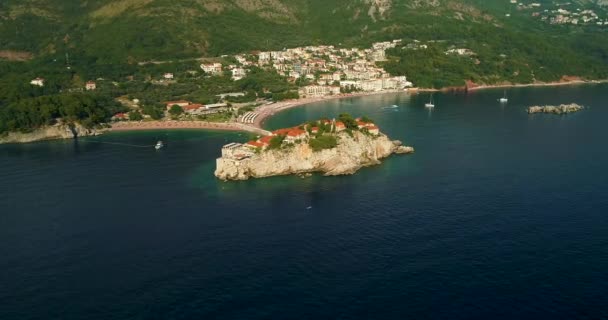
point(498, 215)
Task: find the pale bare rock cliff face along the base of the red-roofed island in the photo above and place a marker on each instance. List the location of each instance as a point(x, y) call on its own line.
point(351, 154)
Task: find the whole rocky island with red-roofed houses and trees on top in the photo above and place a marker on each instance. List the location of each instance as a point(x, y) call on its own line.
point(331, 147)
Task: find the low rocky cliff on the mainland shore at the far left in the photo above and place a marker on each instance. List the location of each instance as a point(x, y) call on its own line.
point(63, 131)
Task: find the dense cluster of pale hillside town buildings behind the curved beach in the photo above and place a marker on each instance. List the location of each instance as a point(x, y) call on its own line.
point(326, 70)
